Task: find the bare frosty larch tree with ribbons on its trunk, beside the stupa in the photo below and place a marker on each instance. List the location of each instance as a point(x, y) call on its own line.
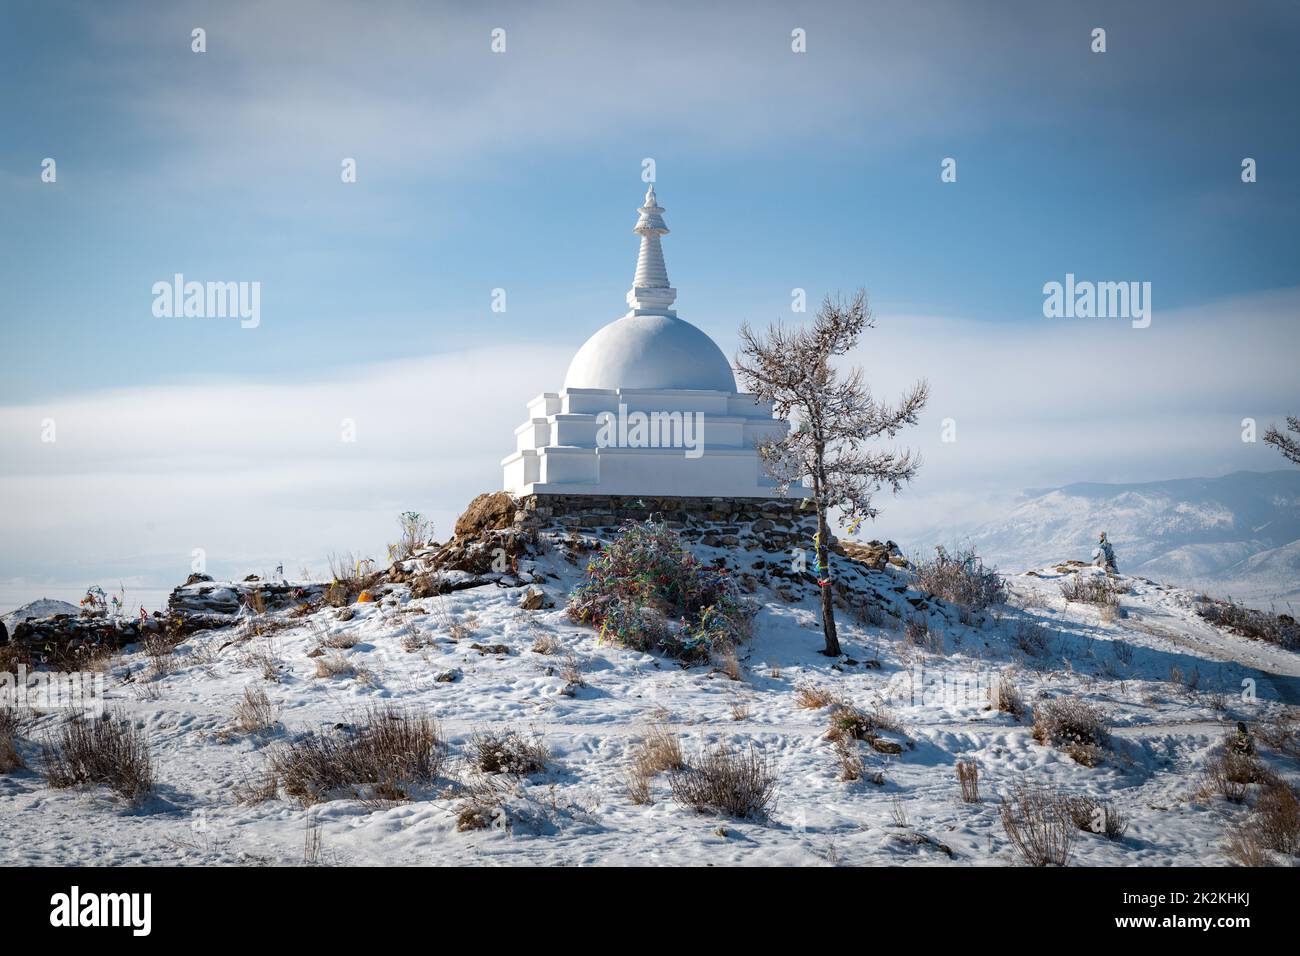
point(834, 417)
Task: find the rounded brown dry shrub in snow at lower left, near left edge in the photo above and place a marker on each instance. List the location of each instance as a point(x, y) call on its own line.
point(107, 750)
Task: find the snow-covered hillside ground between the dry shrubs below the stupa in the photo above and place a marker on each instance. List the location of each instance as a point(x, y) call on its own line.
point(1138, 667)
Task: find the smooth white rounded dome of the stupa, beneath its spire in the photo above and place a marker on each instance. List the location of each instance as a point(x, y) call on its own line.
point(651, 352)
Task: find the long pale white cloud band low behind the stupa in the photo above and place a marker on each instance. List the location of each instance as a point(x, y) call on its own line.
point(255, 473)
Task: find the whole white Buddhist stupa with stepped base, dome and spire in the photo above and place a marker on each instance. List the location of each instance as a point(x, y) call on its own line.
point(649, 406)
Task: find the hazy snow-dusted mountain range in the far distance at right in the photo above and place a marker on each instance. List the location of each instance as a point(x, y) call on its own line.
point(1238, 535)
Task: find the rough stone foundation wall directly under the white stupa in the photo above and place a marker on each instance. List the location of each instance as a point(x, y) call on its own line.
point(772, 525)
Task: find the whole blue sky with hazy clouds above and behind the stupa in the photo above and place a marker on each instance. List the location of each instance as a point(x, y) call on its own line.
point(522, 171)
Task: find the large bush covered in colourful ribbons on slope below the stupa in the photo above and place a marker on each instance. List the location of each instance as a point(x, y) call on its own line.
point(645, 591)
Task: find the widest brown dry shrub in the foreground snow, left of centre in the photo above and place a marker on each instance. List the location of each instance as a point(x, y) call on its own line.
point(392, 751)
